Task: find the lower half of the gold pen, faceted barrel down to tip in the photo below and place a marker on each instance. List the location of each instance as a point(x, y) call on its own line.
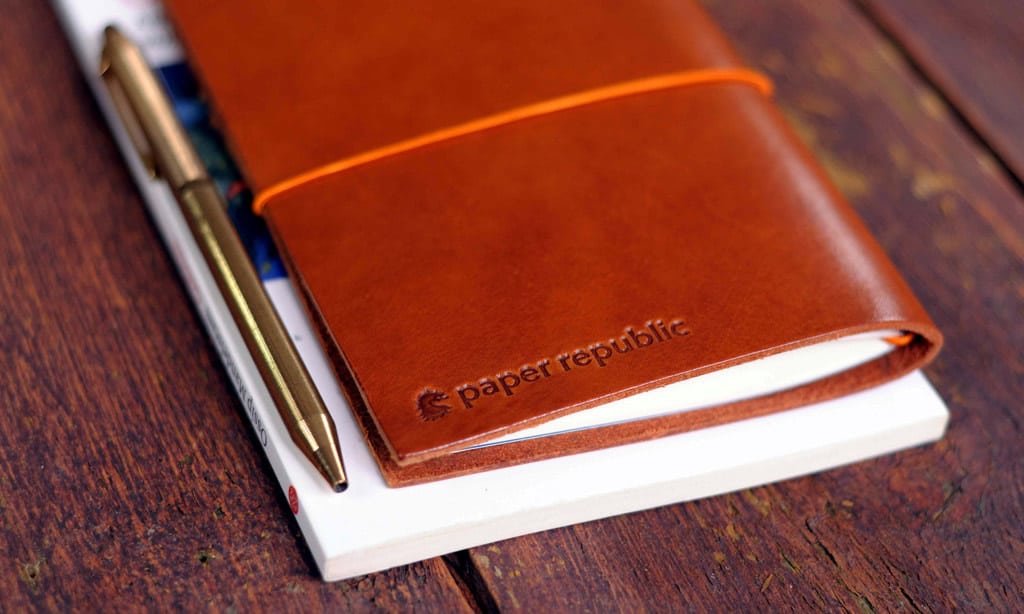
point(278, 362)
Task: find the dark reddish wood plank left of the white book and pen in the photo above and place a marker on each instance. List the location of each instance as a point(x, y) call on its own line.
point(129, 476)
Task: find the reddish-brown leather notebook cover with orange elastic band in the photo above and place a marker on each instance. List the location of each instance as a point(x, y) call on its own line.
point(475, 272)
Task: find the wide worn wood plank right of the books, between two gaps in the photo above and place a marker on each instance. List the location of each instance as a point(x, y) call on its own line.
point(930, 530)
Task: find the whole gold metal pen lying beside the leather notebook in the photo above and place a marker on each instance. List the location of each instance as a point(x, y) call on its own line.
point(167, 153)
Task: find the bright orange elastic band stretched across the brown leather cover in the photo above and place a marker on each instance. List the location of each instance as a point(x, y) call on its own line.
point(619, 91)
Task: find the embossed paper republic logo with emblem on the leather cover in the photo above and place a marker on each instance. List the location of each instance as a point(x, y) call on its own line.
point(431, 406)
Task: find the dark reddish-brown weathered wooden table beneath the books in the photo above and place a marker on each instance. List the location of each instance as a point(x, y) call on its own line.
point(129, 475)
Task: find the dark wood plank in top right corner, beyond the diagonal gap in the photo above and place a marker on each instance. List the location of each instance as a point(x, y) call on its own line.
point(974, 53)
